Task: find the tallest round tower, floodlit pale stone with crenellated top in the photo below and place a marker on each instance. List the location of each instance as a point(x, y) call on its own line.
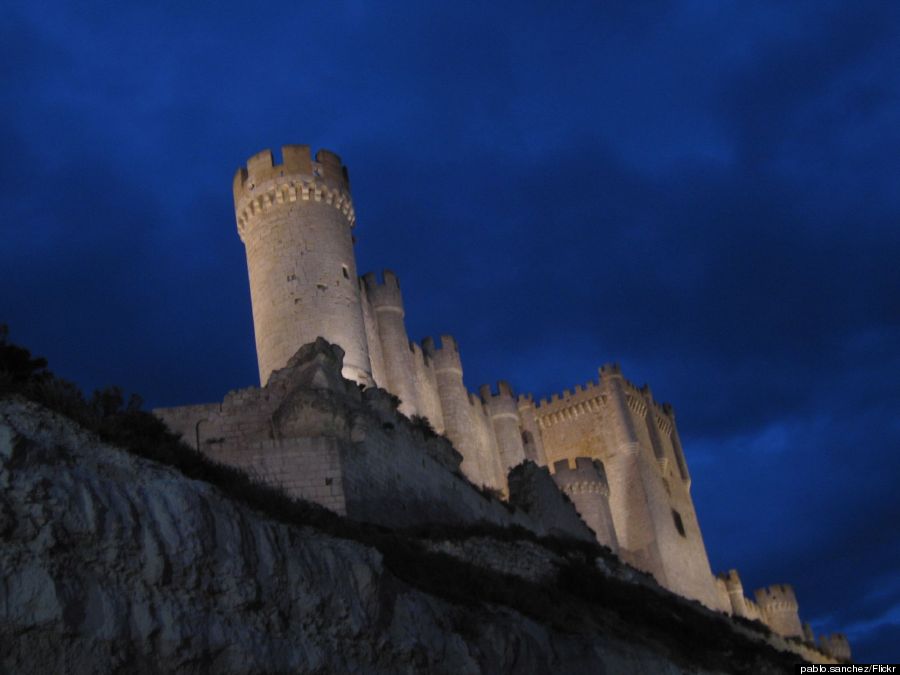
point(294, 219)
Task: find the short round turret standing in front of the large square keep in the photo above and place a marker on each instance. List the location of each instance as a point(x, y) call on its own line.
point(587, 487)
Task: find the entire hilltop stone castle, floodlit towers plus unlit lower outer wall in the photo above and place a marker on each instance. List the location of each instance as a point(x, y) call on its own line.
point(607, 444)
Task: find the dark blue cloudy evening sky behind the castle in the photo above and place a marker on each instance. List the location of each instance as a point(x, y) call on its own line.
point(704, 192)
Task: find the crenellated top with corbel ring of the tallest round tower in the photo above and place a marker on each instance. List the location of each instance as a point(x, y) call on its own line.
point(264, 184)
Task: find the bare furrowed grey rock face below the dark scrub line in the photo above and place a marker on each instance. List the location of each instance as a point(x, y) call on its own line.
point(111, 563)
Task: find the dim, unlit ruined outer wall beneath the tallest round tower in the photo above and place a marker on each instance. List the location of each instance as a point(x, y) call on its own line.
point(321, 439)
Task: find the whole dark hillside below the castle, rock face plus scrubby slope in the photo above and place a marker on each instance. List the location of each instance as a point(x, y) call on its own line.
point(113, 563)
